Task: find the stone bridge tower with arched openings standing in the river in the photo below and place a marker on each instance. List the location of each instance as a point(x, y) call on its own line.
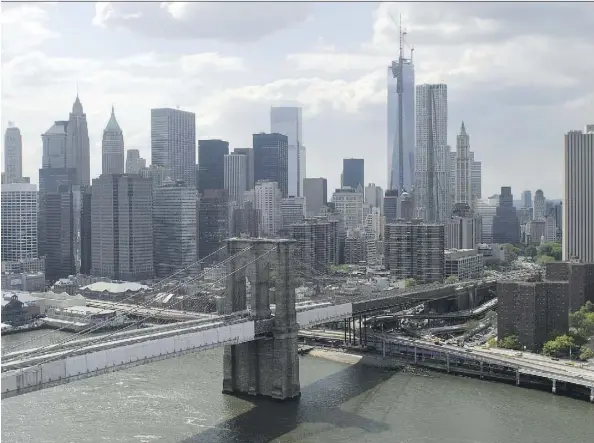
point(268, 366)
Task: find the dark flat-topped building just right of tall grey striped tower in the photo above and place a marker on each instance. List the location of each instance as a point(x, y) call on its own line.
point(211, 157)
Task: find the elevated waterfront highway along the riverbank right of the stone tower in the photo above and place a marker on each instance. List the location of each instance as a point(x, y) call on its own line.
point(523, 362)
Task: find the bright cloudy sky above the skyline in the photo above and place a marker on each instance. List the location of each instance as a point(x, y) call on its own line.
point(519, 75)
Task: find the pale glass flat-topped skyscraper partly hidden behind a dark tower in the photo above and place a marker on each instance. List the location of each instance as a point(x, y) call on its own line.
point(287, 121)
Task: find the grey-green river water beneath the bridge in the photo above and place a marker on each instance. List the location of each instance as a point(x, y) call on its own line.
point(180, 400)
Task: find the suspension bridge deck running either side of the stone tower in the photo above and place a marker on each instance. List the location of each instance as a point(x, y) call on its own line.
point(79, 359)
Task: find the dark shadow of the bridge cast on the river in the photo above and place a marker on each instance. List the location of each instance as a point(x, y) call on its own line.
point(320, 402)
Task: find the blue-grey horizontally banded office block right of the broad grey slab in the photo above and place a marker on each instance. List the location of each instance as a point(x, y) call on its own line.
point(174, 229)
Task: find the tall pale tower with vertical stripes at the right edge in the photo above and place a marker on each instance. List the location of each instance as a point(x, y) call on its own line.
point(578, 198)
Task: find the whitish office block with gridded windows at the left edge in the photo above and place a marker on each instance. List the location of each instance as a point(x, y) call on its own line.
point(19, 221)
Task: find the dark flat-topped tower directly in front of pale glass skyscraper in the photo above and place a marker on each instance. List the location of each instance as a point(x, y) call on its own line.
point(271, 160)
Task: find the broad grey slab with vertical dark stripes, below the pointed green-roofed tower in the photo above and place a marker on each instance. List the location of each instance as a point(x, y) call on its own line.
point(122, 228)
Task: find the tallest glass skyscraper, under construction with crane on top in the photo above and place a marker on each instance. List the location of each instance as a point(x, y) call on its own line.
point(401, 122)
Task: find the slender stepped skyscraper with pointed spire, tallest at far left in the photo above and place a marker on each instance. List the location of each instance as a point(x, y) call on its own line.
point(77, 144)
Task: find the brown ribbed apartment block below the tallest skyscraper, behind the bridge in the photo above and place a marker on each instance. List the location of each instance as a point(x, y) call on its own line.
point(415, 250)
